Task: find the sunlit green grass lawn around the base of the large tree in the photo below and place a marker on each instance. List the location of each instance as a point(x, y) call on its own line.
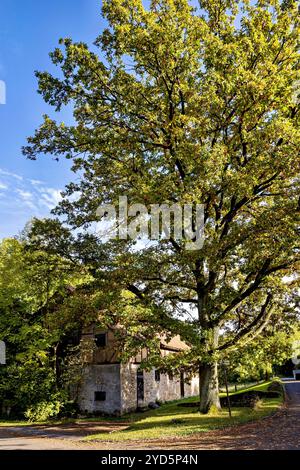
point(170, 420)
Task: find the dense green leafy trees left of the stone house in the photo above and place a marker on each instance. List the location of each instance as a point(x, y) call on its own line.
point(37, 324)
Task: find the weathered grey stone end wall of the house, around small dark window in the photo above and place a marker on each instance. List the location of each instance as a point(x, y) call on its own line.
point(101, 378)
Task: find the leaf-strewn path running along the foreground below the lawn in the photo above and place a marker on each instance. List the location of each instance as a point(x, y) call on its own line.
point(282, 431)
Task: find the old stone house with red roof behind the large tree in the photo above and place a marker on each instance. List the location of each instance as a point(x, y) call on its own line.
point(112, 387)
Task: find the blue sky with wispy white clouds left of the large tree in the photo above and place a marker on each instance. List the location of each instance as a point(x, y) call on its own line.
point(29, 30)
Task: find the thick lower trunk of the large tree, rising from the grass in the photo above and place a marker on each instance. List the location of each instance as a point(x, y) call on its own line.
point(209, 387)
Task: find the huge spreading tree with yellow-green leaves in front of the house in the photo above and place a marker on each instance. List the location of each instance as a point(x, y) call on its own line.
point(184, 105)
